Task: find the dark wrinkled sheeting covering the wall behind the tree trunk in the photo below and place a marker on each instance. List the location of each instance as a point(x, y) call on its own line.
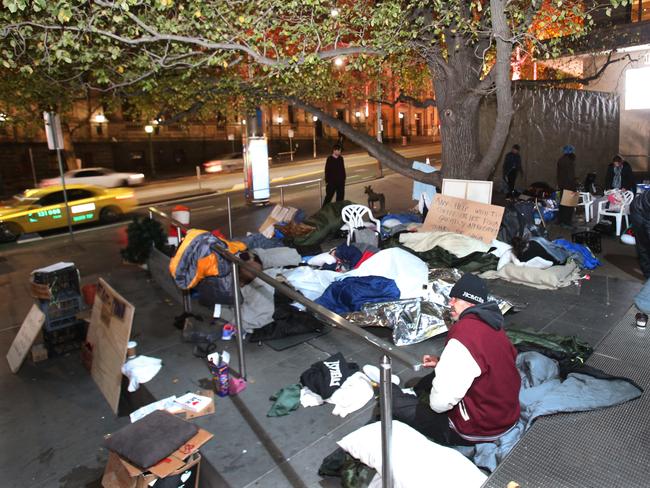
point(547, 119)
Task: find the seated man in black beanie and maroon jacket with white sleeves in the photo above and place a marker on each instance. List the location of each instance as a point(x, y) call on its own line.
point(474, 390)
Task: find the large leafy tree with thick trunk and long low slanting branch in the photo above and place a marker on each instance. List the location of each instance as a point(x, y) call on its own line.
point(193, 56)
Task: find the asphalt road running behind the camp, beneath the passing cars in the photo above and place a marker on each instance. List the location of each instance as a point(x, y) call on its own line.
point(209, 203)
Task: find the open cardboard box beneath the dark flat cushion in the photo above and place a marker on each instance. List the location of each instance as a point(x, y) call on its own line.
point(184, 463)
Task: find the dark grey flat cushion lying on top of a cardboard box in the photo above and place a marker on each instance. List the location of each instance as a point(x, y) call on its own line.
point(151, 439)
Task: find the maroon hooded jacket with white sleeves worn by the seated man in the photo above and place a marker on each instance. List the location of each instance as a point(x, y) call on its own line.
point(476, 379)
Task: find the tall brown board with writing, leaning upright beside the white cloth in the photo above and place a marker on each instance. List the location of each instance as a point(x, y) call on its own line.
point(108, 334)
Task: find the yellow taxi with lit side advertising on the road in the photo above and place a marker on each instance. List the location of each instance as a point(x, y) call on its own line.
point(44, 208)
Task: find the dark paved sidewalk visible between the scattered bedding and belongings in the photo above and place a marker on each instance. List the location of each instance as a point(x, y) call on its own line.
point(55, 418)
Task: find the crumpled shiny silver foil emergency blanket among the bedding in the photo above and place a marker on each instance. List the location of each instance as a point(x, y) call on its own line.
point(417, 319)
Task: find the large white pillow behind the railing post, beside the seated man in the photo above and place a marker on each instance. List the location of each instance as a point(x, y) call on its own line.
point(417, 462)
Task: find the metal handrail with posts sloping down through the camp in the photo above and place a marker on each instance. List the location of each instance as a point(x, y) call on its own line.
point(389, 350)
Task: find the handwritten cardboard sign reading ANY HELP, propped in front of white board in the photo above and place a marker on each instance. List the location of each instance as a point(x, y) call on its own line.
point(472, 219)
